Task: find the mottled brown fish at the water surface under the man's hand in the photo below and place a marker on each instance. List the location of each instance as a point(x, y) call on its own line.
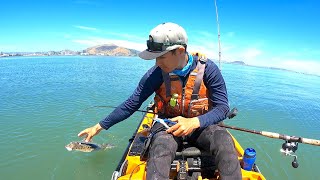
point(87, 146)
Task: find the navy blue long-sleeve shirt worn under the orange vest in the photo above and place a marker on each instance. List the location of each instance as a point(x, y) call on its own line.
point(152, 81)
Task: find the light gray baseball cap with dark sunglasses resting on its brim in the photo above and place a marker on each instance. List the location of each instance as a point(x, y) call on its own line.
point(164, 38)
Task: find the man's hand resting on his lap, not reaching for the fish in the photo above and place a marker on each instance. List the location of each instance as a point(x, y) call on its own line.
point(184, 126)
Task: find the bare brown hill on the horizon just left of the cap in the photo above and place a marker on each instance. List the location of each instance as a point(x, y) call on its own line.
point(111, 50)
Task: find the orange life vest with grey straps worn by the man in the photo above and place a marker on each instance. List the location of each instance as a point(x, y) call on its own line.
point(192, 98)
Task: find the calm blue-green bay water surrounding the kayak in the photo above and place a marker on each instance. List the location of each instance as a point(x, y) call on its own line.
point(44, 104)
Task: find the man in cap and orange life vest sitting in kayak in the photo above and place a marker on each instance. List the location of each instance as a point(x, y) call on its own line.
point(191, 91)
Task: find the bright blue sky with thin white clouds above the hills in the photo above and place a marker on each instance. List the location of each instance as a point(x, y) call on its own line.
point(277, 33)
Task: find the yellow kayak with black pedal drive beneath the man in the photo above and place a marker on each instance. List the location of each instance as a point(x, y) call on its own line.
point(132, 167)
